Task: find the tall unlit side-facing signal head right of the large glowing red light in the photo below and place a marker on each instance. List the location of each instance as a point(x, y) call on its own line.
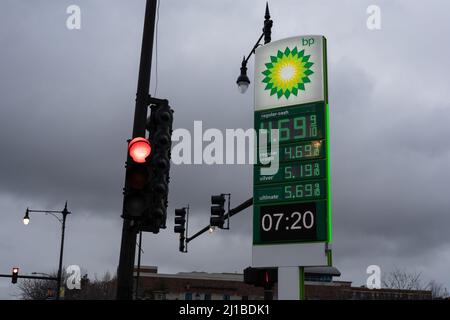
point(159, 126)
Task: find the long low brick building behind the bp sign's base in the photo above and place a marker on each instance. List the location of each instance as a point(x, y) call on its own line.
point(319, 285)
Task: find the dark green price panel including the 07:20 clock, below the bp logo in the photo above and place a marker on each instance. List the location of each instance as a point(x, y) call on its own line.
point(291, 204)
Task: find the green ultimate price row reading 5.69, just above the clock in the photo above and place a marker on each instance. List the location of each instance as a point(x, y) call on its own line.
point(297, 191)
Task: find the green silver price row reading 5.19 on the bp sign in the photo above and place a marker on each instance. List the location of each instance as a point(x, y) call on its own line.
point(291, 171)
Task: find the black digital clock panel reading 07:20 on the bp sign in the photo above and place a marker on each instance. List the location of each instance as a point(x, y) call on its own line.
point(291, 222)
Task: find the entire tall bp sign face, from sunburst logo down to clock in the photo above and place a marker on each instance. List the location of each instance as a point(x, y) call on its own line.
point(292, 202)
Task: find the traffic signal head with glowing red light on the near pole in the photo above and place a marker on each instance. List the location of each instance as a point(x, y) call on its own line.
point(137, 179)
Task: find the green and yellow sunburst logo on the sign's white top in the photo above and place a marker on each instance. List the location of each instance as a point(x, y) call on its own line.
point(287, 72)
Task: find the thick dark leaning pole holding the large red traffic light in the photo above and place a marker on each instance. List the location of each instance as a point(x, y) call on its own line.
point(130, 230)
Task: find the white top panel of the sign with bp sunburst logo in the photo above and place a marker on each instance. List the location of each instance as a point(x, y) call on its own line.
point(289, 72)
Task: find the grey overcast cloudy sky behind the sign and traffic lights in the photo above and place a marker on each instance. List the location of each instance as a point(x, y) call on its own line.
point(66, 111)
